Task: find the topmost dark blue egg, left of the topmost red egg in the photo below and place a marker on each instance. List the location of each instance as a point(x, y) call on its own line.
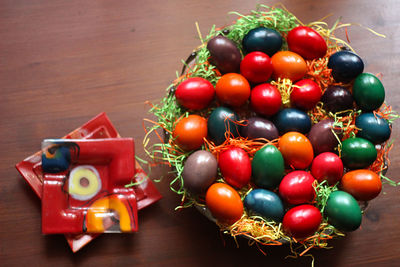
point(262, 39)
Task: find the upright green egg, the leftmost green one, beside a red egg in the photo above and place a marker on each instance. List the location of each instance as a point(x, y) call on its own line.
point(263, 176)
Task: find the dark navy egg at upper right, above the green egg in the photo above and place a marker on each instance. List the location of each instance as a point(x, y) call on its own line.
point(345, 65)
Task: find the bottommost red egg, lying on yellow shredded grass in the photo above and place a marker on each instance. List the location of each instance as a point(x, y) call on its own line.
point(302, 221)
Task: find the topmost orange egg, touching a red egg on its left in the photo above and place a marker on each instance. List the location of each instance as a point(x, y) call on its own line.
point(287, 64)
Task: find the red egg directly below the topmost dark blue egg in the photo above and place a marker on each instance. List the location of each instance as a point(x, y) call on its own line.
point(256, 67)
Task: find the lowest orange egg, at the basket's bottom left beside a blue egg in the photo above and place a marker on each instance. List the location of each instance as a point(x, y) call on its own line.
point(224, 203)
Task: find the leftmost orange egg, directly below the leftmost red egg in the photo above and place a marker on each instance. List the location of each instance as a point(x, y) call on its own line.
point(190, 132)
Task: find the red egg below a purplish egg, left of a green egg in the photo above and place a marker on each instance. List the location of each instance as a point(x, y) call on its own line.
point(327, 166)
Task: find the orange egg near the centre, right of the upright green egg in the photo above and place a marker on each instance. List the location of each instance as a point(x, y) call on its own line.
point(296, 149)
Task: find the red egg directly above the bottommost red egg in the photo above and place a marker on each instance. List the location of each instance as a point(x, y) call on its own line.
point(297, 187)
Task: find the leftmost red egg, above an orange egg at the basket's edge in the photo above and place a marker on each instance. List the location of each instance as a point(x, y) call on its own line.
point(195, 93)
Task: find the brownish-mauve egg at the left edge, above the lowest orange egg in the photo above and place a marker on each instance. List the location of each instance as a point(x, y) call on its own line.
point(199, 171)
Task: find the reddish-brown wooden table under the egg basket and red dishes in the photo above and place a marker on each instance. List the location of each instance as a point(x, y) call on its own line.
point(62, 62)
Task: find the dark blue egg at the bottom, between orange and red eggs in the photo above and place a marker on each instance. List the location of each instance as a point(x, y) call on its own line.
point(264, 203)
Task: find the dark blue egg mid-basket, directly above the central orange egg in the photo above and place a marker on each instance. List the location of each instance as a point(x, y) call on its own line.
point(292, 119)
